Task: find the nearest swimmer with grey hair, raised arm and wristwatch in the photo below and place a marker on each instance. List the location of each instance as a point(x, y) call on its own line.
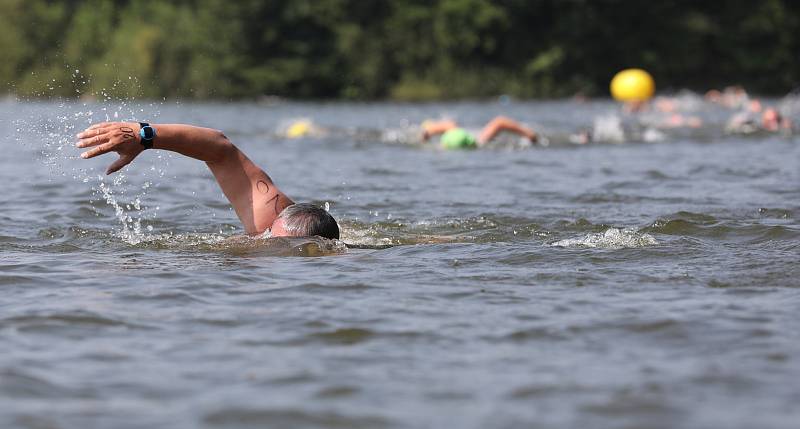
point(259, 204)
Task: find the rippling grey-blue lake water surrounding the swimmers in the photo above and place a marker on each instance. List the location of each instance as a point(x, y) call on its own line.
point(646, 285)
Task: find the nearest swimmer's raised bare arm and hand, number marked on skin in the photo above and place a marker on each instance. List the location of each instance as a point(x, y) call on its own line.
point(249, 189)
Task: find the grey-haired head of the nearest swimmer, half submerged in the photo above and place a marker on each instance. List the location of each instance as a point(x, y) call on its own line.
point(305, 220)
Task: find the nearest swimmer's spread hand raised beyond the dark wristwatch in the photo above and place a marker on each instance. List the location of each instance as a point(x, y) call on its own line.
point(120, 137)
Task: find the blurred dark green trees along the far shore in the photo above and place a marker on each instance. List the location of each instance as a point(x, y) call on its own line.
point(401, 49)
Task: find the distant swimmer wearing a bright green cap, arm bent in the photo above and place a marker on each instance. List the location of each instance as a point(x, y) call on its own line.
point(454, 137)
